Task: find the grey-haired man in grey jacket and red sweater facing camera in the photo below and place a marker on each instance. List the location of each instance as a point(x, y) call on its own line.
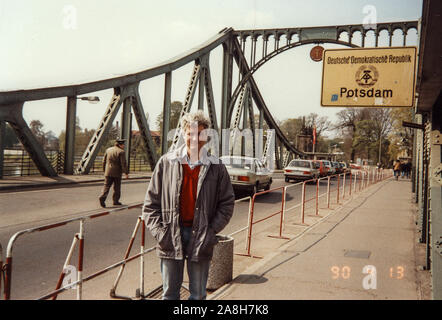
point(189, 200)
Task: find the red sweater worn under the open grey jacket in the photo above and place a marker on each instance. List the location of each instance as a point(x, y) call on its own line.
point(188, 194)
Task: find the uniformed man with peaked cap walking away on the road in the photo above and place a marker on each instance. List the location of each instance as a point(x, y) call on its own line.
point(114, 165)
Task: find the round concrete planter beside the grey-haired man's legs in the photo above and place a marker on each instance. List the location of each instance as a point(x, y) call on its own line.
point(221, 266)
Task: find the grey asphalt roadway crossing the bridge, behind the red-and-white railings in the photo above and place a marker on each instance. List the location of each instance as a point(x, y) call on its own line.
point(38, 257)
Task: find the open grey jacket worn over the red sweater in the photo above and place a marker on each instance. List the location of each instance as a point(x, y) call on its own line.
point(213, 208)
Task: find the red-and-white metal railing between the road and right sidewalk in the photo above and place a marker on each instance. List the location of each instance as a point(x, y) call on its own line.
point(358, 180)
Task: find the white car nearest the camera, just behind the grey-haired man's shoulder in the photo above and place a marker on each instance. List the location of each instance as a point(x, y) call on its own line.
point(247, 174)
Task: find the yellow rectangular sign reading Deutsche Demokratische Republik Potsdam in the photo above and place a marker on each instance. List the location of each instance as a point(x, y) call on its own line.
point(369, 77)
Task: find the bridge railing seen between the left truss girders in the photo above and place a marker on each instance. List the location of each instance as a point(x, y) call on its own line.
point(19, 163)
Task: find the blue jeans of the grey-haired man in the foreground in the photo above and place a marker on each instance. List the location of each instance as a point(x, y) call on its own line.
point(172, 274)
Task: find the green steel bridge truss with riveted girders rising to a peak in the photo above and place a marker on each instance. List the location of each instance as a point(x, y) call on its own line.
point(126, 92)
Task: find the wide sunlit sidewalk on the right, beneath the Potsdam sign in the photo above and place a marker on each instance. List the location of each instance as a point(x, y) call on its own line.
point(375, 229)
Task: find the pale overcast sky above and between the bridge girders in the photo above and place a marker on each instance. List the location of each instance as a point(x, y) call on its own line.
point(54, 42)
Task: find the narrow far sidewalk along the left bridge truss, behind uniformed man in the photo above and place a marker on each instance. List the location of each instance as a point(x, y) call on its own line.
point(37, 181)
